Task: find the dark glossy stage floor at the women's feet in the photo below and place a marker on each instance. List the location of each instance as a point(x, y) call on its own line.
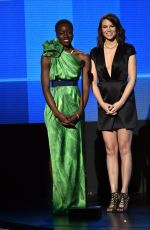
point(137, 217)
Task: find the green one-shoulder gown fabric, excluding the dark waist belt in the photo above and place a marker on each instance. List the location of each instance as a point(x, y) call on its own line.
point(65, 143)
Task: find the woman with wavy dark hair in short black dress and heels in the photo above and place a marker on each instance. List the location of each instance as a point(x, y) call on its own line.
point(114, 76)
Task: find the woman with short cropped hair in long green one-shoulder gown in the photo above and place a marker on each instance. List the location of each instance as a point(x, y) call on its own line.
point(61, 66)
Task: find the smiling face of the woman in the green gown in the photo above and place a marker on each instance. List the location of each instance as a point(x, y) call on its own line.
point(64, 34)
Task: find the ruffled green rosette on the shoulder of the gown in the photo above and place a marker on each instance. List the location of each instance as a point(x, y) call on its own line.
point(52, 48)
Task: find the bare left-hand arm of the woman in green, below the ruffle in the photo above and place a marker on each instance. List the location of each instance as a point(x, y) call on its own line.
point(45, 67)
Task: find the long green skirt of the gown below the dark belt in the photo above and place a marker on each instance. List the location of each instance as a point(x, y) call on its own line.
point(66, 152)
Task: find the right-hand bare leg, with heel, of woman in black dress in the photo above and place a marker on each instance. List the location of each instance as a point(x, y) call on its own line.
point(124, 140)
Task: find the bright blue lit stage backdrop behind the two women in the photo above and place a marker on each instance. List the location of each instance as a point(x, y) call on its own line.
point(26, 24)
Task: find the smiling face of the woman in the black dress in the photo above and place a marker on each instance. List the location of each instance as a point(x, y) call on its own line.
point(108, 30)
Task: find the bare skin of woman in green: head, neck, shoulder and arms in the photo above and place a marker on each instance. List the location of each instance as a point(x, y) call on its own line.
point(65, 36)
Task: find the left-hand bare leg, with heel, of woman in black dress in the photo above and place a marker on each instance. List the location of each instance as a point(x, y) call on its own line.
point(111, 145)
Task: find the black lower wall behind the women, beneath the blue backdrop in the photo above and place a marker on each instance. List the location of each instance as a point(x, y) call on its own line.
point(24, 164)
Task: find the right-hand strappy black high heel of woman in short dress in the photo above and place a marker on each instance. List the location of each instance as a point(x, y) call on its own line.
point(123, 202)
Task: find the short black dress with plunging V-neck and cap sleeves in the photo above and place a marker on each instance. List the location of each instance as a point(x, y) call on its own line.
point(112, 88)
